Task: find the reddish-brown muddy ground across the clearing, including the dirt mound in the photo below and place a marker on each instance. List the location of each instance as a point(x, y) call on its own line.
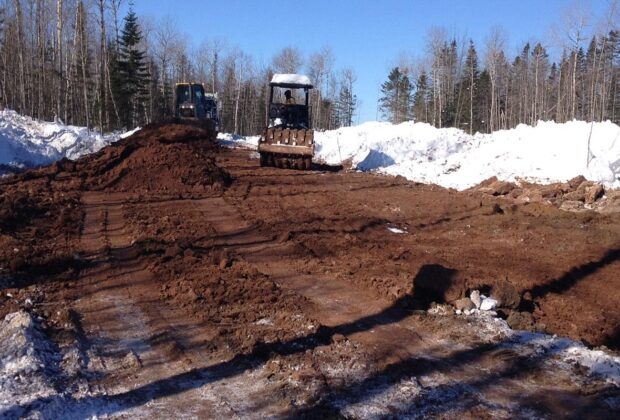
point(187, 280)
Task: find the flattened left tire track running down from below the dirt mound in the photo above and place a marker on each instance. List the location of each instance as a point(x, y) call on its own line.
point(130, 334)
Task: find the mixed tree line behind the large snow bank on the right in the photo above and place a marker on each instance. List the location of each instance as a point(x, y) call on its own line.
point(452, 87)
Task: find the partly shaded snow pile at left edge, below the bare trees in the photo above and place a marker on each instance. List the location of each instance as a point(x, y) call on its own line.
point(27, 142)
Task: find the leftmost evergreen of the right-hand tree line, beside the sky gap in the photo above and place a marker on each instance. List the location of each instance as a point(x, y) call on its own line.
point(395, 103)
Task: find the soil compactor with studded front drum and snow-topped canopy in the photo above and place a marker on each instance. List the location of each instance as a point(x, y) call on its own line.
point(288, 139)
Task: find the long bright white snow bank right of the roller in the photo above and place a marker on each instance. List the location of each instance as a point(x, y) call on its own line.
point(548, 152)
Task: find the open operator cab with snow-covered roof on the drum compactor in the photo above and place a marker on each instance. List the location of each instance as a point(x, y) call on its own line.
point(289, 101)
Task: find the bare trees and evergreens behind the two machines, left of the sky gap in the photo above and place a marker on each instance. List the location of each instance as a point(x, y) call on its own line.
point(83, 63)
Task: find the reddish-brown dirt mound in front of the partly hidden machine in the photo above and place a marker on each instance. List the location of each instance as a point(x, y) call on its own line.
point(166, 158)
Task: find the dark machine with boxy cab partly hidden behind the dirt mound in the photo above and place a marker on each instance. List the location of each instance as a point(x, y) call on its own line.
point(192, 105)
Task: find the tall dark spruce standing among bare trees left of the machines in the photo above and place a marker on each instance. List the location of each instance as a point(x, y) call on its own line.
point(131, 78)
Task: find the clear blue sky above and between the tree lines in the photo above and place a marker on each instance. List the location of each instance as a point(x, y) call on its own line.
point(366, 35)
